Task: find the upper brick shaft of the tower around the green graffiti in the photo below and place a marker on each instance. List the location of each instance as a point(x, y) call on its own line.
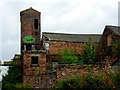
point(27, 26)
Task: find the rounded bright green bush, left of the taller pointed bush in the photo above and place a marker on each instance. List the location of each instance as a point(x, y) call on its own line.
point(68, 57)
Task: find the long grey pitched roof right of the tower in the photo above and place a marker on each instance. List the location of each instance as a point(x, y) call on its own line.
point(71, 37)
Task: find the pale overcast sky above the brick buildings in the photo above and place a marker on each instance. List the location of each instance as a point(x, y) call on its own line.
point(68, 16)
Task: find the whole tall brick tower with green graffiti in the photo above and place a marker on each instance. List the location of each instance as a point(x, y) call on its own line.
point(33, 57)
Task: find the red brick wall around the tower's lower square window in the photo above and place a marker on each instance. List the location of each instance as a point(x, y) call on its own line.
point(29, 70)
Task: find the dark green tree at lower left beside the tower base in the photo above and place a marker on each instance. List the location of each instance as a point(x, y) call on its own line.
point(12, 77)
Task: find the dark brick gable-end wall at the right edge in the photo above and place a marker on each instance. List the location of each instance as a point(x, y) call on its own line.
point(105, 47)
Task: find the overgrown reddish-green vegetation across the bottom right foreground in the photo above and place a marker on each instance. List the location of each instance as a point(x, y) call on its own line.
point(91, 80)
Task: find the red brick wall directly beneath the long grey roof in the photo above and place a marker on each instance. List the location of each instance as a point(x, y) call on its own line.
point(55, 46)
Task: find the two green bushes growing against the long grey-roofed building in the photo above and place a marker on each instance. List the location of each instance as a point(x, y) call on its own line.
point(88, 55)
